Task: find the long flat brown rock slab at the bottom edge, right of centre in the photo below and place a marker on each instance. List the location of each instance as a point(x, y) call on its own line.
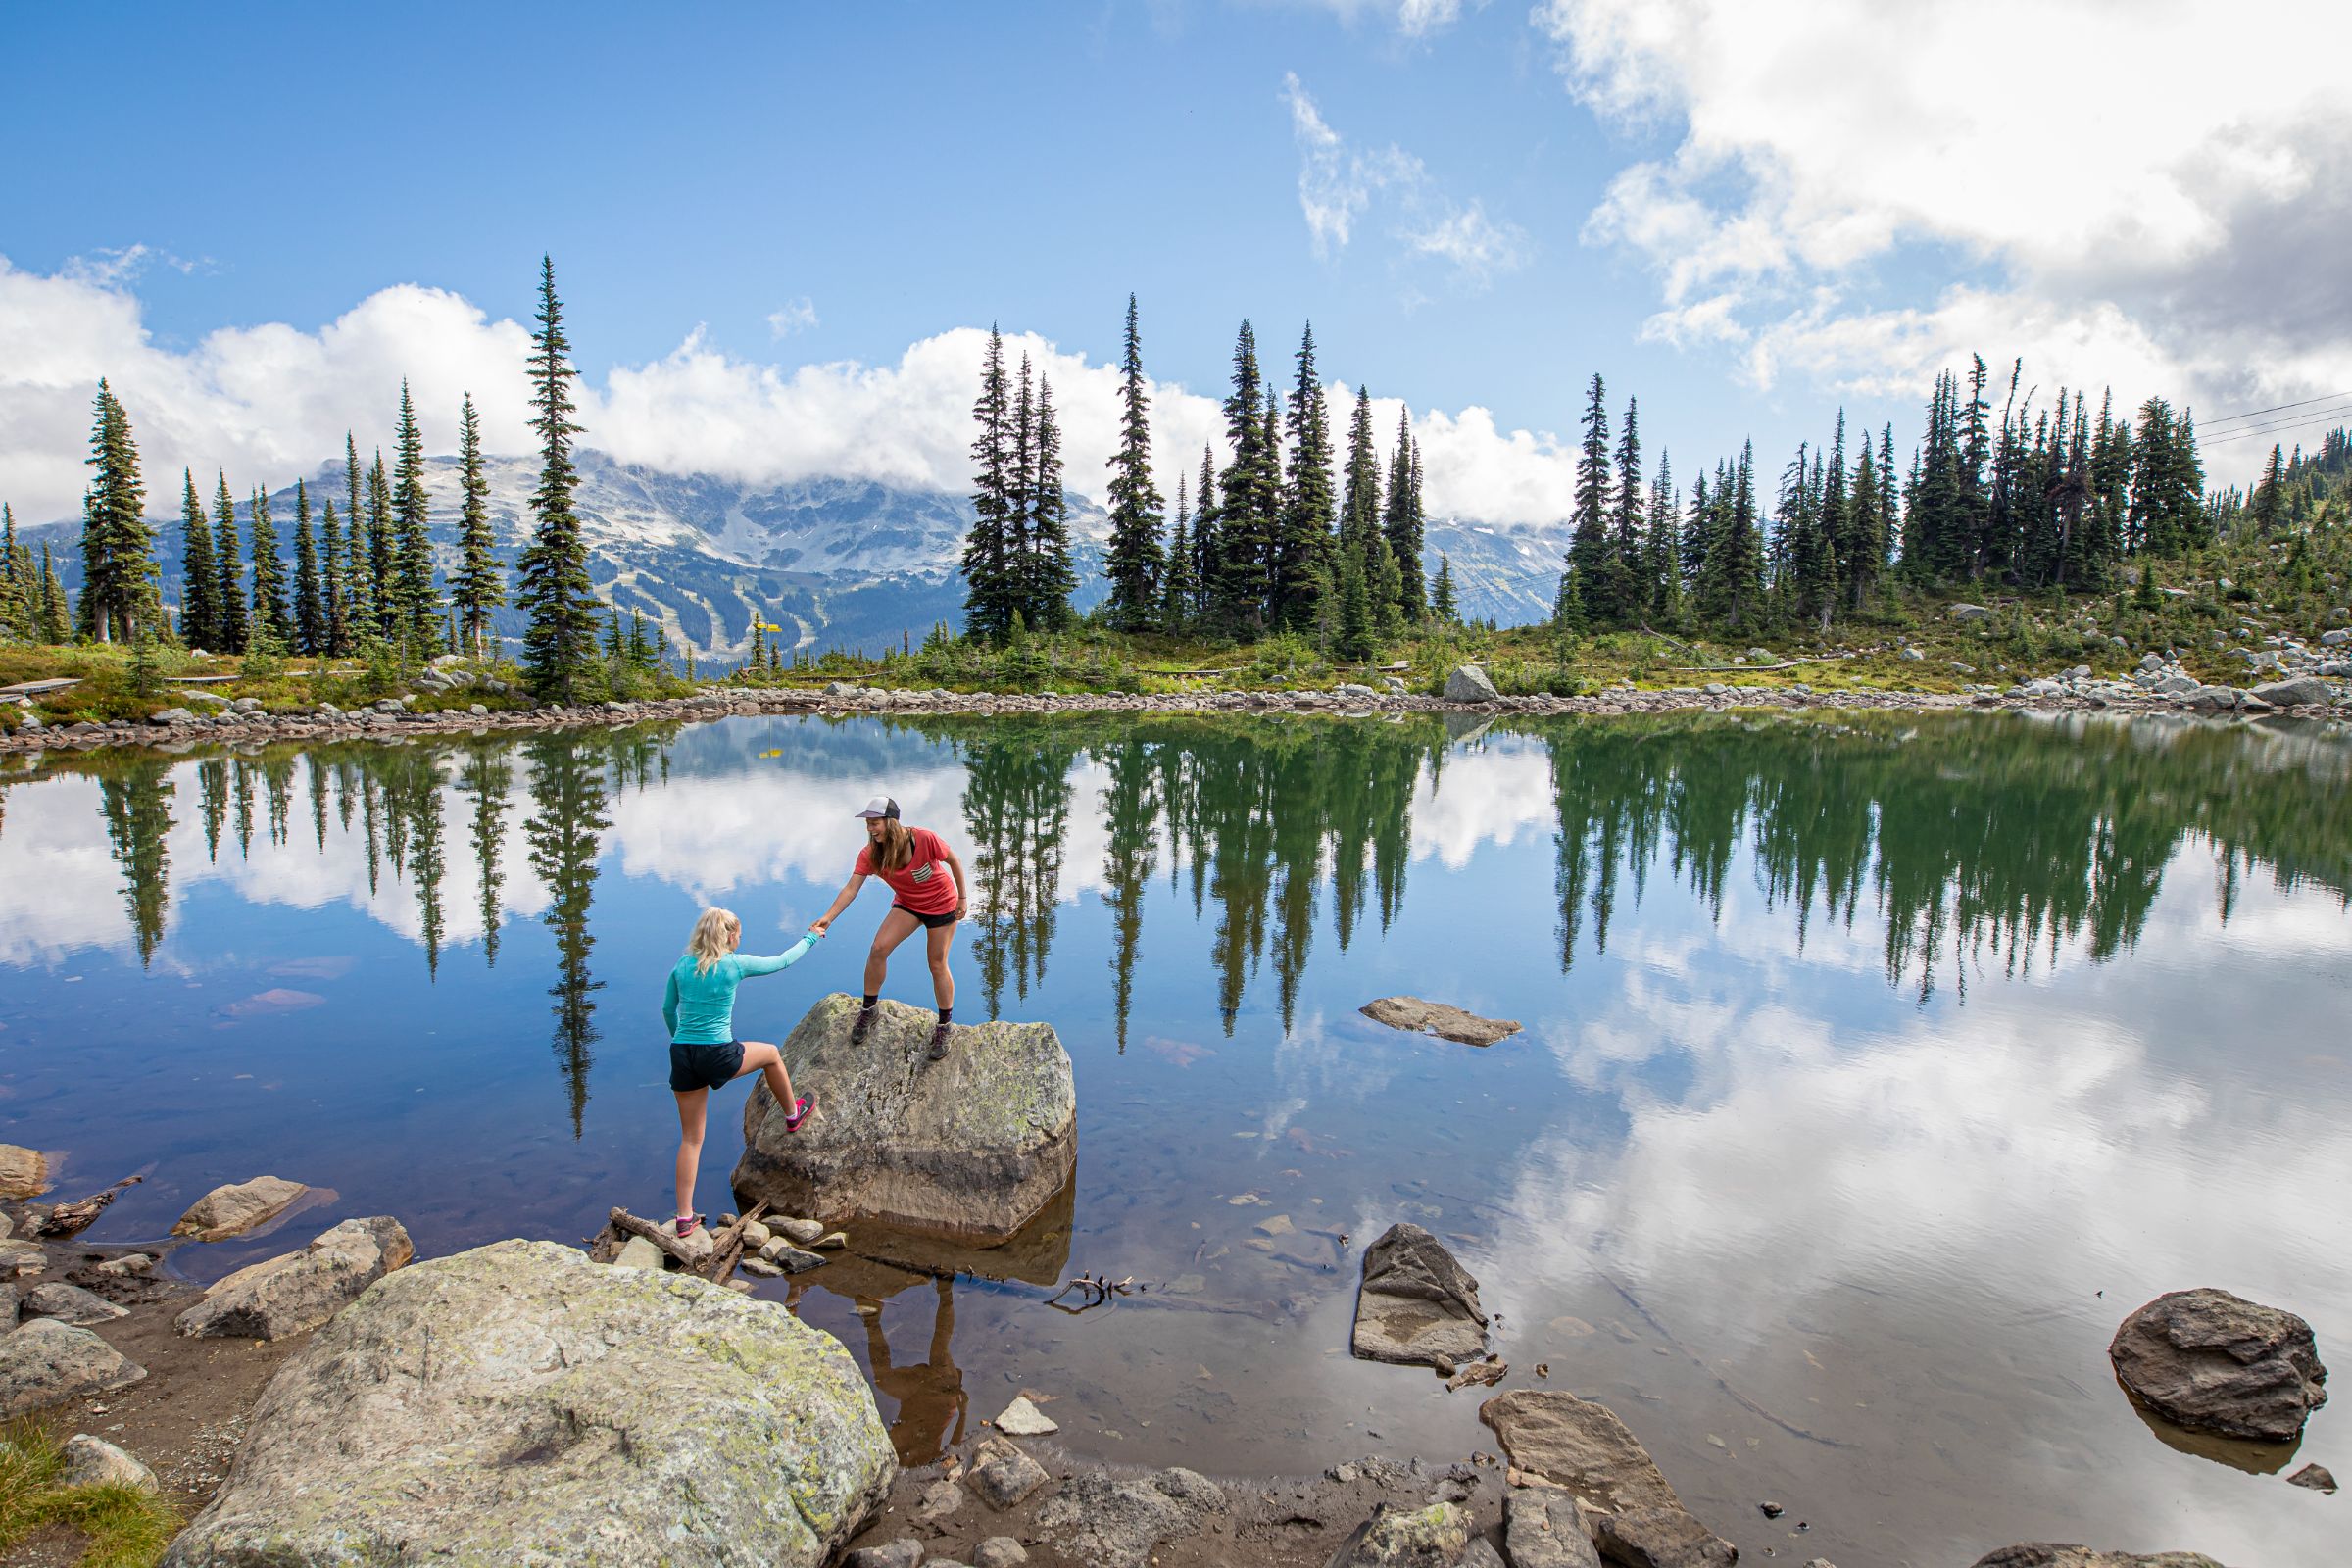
point(1631, 1510)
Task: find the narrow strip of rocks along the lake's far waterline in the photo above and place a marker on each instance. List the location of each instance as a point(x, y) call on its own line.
point(394, 721)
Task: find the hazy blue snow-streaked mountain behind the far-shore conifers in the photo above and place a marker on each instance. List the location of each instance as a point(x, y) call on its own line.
point(834, 563)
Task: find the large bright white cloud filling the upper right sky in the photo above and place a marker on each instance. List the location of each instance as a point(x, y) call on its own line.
point(2146, 196)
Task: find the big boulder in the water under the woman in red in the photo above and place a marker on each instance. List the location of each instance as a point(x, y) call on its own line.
point(973, 1146)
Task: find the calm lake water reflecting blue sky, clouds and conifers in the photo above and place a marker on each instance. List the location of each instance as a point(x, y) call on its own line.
point(1873, 1071)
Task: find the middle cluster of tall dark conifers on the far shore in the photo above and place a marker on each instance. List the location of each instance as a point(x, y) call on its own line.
point(1257, 547)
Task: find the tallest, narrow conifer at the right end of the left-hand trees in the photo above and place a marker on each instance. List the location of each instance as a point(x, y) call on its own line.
point(554, 584)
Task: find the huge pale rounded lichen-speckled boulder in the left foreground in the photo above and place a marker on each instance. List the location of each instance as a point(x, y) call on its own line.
point(526, 1407)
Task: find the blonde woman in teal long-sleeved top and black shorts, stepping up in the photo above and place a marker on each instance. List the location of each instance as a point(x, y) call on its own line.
point(704, 1052)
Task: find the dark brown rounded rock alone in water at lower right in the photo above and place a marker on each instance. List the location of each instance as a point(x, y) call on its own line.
point(2224, 1365)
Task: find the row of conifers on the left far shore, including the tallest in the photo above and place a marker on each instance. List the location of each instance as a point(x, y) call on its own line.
point(363, 579)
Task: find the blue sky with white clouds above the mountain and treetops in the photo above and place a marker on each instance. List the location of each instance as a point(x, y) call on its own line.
point(1476, 203)
